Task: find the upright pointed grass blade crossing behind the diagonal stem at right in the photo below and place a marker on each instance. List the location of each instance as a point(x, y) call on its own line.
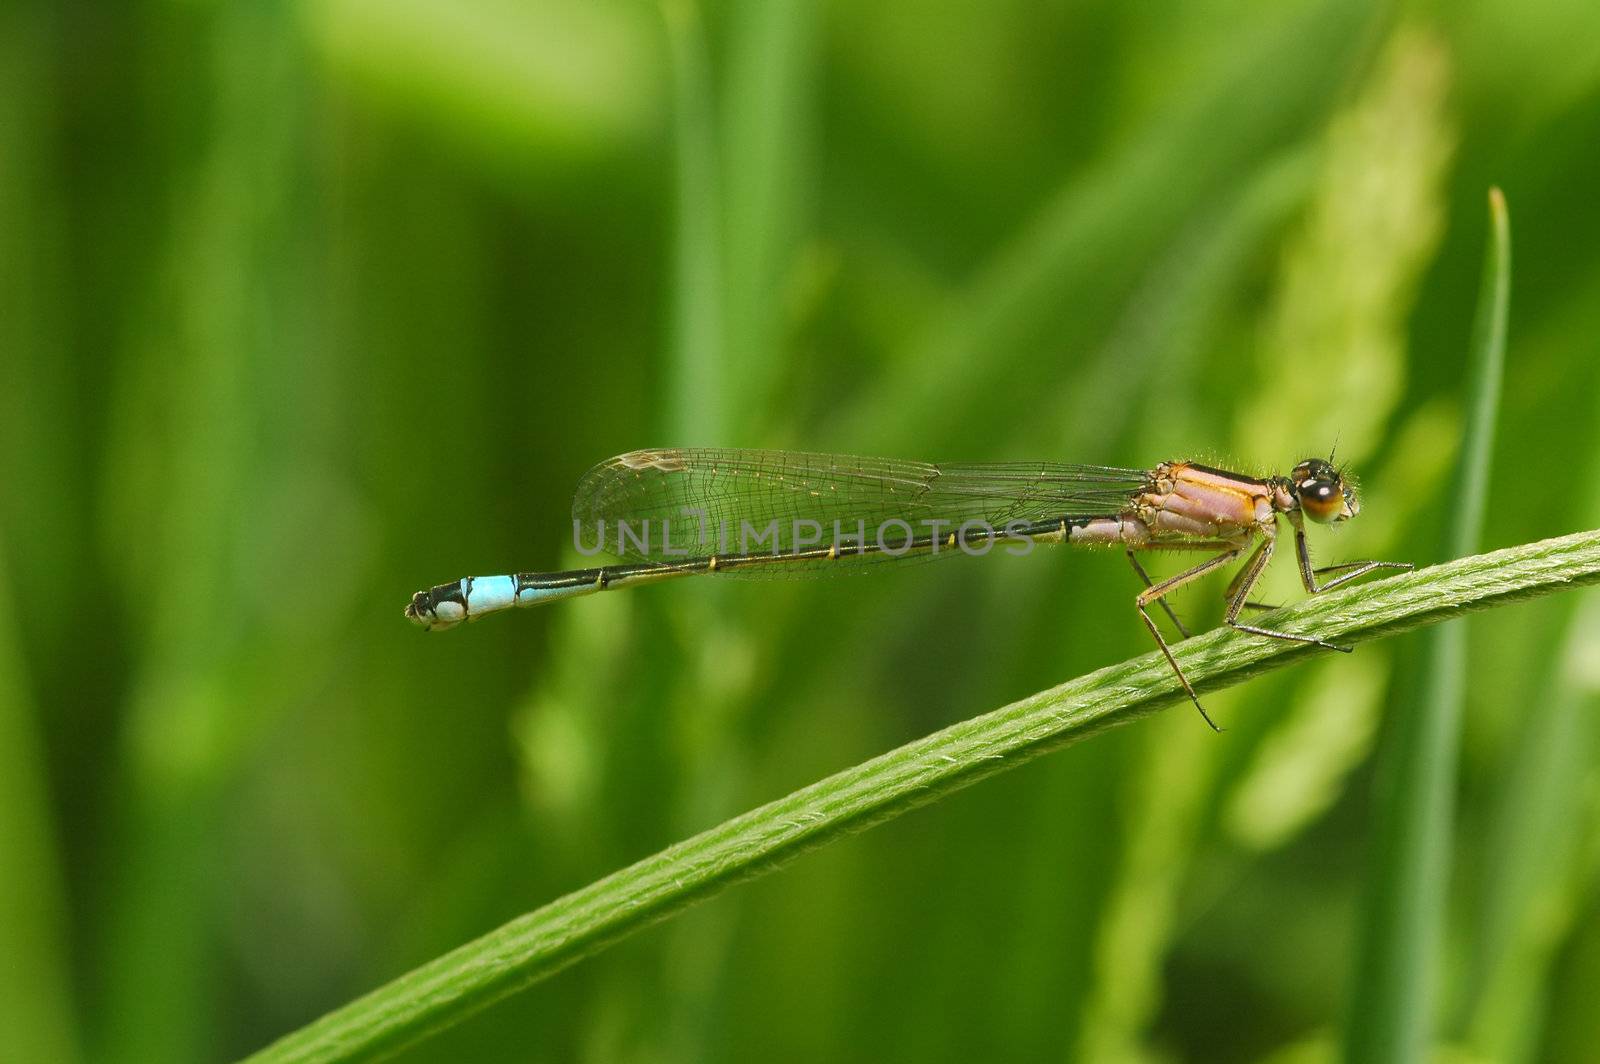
point(1394, 1002)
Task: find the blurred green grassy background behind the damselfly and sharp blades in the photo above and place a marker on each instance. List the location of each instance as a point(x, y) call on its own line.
point(308, 306)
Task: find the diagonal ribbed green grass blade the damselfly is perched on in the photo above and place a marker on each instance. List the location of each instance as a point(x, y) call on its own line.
point(535, 946)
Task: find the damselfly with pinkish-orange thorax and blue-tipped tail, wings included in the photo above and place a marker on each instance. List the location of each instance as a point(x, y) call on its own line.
point(761, 514)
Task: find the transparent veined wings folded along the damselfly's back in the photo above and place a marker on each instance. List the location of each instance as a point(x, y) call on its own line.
point(665, 505)
